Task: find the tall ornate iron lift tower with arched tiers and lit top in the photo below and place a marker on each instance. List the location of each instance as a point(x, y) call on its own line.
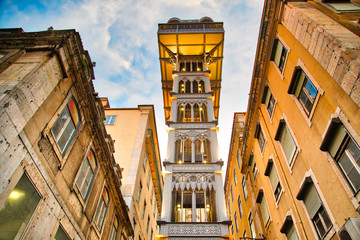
point(191, 54)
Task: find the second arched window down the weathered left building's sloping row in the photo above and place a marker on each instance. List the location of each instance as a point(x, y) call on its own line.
point(86, 173)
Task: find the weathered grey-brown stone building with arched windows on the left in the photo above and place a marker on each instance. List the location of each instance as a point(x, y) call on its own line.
point(58, 177)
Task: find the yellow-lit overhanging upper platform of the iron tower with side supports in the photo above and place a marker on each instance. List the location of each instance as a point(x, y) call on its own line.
point(181, 39)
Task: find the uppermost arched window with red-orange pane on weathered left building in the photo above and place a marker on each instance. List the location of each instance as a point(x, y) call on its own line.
point(66, 125)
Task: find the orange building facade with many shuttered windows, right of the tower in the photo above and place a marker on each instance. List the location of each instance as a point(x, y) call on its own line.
point(298, 153)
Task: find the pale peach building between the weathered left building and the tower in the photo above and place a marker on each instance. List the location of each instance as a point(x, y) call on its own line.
point(137, 151)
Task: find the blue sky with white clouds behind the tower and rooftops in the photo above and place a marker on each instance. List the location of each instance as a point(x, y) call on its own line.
point(121, 37)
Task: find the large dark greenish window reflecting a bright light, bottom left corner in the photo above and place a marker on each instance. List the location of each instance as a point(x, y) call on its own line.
point(16, 212)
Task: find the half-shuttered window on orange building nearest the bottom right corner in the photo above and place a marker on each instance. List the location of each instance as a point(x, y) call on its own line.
point(314, 207)
